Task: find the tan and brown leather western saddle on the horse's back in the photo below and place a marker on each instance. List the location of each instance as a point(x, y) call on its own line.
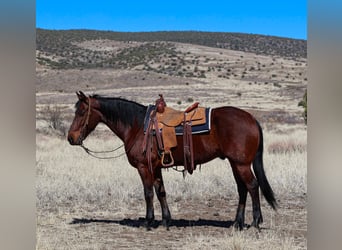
point(162, 123)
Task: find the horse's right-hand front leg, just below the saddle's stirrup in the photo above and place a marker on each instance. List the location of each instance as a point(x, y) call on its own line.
point(161, 194)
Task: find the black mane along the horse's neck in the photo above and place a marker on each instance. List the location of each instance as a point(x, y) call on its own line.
point(116, 109)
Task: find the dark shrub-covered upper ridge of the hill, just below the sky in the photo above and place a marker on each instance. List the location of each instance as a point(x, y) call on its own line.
point(59, 48)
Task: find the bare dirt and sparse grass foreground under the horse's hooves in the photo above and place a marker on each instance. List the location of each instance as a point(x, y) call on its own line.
point(196, 220)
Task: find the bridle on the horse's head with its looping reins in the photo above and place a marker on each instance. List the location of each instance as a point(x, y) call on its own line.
point(92, 152)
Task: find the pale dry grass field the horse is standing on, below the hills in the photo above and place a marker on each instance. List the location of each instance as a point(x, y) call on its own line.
point(87, 203)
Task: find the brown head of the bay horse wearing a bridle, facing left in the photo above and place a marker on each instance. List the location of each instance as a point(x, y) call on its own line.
point(87, 116)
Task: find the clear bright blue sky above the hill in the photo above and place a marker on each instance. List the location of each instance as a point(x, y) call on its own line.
point(286, 18)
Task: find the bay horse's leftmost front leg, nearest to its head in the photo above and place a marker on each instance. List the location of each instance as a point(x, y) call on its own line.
point(147, 181)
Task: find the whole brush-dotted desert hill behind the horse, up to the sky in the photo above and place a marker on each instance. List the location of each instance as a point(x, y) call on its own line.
point(264, 74)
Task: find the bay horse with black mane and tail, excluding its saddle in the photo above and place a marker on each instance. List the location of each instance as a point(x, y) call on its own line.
point(235, 135)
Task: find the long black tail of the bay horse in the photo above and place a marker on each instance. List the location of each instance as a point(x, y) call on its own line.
point(258, 167)
